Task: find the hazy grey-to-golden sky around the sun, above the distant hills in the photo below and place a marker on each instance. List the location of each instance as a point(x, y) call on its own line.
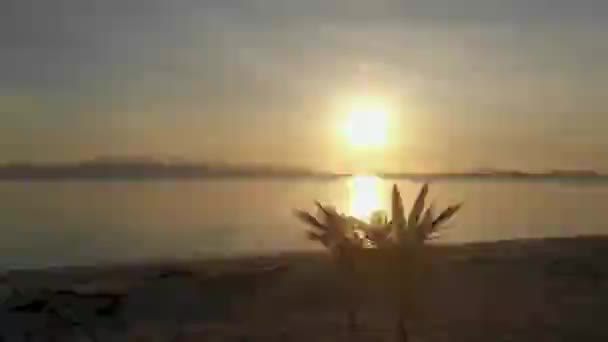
point(471, 83)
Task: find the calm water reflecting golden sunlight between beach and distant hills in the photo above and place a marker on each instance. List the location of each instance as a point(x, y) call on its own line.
point(46, 224)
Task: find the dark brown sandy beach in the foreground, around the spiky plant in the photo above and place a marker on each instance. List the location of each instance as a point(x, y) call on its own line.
point(537, 290)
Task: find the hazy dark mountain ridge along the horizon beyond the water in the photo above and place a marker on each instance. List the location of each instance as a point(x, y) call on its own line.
point(145, 168)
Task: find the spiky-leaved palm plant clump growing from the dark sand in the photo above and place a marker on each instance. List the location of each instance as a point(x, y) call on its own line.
point(394, 247)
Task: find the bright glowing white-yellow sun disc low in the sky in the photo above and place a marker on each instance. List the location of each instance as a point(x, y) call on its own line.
point(367, 124)
